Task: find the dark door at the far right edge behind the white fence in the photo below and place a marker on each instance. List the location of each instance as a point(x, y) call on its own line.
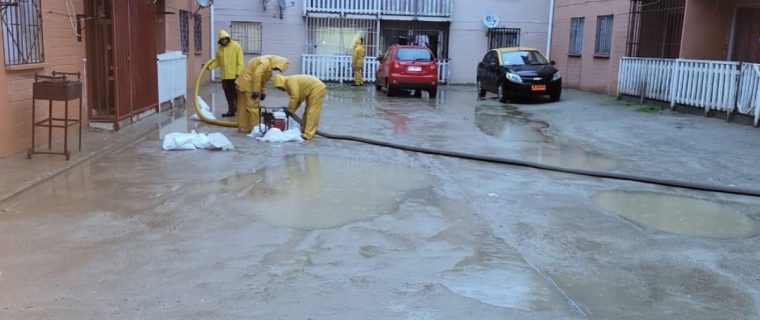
point(747, 35)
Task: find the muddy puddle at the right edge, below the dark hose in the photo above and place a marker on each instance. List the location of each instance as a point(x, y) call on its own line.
point(679, 215)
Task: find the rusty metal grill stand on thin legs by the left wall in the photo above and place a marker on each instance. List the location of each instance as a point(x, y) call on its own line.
point(56, 88)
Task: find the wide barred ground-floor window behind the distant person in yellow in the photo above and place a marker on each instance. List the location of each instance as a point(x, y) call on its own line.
point(336, 36)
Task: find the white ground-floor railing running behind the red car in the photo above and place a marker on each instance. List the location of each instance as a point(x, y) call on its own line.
point(338, 68)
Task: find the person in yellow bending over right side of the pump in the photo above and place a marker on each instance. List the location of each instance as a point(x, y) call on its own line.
point(302, 88)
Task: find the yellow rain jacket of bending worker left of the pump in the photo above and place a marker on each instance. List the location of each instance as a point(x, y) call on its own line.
point(257, 73)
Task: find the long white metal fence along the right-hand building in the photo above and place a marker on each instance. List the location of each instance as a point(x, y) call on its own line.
point(712, 85)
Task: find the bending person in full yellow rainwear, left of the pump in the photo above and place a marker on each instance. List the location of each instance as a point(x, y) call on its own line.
point(251, 86)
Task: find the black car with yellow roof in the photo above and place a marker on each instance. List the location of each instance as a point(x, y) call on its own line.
point(518, 72)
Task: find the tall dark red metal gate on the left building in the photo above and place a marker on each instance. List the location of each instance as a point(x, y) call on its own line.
point(121, 70)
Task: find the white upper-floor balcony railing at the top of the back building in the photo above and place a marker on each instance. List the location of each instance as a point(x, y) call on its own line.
point(402, 8)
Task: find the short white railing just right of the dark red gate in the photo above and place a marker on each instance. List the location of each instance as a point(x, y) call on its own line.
point(172, 76)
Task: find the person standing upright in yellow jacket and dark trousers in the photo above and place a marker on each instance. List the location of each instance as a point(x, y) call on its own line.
point(229, 58)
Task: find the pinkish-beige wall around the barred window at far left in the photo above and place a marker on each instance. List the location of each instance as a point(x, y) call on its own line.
point(62, 53)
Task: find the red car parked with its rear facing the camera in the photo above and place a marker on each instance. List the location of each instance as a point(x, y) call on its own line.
point(405, 67)
